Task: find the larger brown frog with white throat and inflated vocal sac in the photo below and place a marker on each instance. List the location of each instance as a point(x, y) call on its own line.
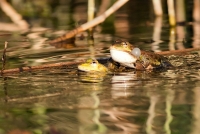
point(129, 56)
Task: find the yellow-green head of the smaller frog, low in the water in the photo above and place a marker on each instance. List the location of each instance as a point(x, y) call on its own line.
point(92, 65)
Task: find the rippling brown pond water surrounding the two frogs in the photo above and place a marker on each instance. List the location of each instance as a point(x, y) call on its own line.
point(65, 101)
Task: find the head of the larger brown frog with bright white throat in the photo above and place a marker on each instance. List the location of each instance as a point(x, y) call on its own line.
point(123, 53)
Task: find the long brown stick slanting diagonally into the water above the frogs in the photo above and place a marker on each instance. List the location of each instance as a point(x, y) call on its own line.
point(91, 23)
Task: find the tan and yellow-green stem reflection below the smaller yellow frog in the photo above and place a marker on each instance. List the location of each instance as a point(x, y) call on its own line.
point(89, 114)
